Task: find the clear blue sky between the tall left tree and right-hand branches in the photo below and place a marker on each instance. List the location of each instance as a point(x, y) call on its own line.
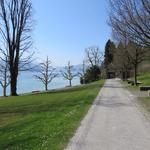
point(64, 28)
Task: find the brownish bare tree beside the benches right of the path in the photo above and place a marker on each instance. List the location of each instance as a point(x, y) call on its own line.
point(128, 56)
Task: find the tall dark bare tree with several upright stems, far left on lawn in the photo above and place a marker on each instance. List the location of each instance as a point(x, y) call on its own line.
point(16, 25)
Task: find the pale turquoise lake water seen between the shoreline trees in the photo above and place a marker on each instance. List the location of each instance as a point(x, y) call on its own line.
point(27, 83)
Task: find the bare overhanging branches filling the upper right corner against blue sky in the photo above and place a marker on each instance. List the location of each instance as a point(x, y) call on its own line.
point(131, 18)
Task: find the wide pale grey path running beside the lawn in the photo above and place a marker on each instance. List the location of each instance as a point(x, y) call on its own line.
point(112, 123)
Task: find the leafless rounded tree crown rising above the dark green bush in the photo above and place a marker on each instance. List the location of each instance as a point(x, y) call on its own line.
point(94, 56)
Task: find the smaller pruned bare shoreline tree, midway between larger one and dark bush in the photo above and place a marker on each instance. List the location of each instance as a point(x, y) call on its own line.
point(68, 73)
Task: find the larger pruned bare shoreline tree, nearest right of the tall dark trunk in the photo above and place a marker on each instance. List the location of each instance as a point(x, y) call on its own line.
point(46, 73)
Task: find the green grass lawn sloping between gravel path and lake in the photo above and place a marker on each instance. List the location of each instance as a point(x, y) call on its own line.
point(44, 121)
